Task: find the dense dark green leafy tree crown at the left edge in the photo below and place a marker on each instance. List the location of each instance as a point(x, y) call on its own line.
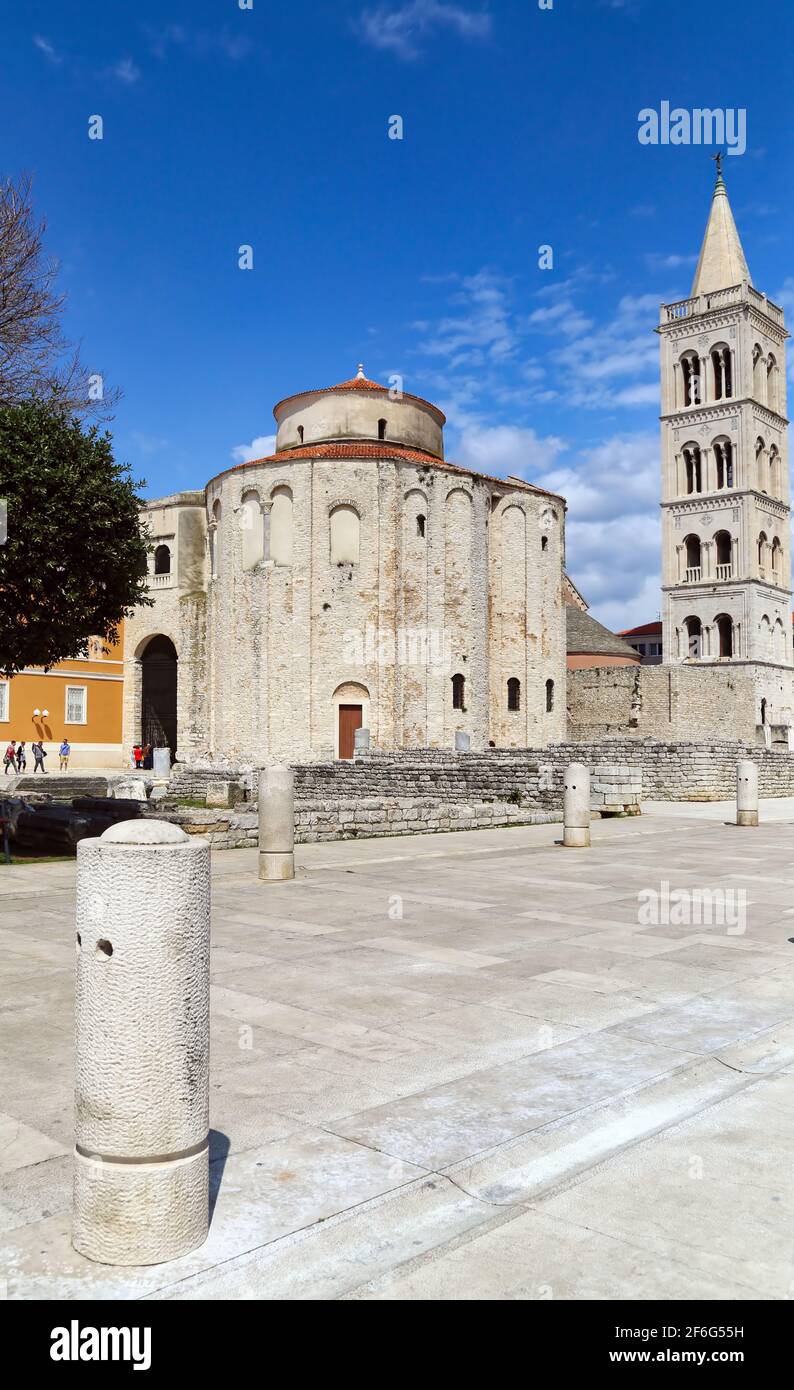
point(74, 562)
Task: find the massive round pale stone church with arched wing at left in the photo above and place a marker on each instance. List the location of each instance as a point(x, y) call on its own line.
point(351, 580)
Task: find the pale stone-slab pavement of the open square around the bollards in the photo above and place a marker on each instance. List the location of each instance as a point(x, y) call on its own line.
point(451, 1067)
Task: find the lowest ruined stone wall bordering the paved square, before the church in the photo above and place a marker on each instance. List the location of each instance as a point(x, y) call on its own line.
point(368, 818)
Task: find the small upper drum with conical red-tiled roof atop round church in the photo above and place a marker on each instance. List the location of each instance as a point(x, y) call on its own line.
point(357, 411)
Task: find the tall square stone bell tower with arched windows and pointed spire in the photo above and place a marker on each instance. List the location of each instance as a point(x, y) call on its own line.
point(727, 564)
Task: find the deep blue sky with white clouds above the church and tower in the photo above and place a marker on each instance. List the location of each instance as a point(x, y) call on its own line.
point(269, 127)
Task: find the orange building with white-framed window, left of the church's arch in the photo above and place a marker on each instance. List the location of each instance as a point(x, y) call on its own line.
point(79, 700)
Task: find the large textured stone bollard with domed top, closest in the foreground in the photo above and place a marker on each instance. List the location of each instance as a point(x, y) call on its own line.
point(143, 1067)
